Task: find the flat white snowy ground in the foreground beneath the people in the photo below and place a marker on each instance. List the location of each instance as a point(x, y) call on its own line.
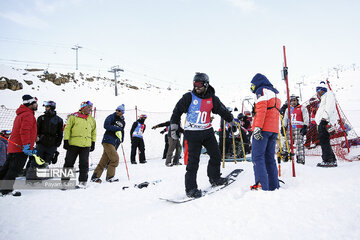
point(317, 204)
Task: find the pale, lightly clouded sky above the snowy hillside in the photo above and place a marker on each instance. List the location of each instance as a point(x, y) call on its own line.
point(169, 40)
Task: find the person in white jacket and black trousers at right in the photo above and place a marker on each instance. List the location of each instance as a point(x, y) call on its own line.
point(326, 118)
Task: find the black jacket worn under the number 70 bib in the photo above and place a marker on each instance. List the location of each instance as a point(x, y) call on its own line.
point(183, 104)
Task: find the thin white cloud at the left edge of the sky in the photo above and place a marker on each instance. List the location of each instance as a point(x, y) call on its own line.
point(24, 19)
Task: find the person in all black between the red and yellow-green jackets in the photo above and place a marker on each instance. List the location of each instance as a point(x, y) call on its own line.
point(50, 133)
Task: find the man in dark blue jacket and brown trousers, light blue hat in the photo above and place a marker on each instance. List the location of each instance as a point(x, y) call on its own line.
point(114, 135)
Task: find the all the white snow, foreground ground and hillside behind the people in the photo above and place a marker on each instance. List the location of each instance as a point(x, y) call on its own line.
point(316, 204)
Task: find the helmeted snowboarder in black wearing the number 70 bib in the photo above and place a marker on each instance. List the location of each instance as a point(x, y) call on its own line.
point(198, 104)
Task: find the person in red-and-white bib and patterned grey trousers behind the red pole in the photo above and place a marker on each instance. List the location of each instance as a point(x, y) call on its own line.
point(299, 123)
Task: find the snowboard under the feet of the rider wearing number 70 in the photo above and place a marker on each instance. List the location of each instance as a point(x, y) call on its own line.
point(210, 190)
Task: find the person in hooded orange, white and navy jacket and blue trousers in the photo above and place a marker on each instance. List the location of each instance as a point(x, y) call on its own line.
point(265, 132)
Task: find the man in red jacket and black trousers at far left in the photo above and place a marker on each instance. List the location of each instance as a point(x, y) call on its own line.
point(24, 134)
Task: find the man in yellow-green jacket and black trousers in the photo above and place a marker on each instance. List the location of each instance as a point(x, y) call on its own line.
point(79, 140)
